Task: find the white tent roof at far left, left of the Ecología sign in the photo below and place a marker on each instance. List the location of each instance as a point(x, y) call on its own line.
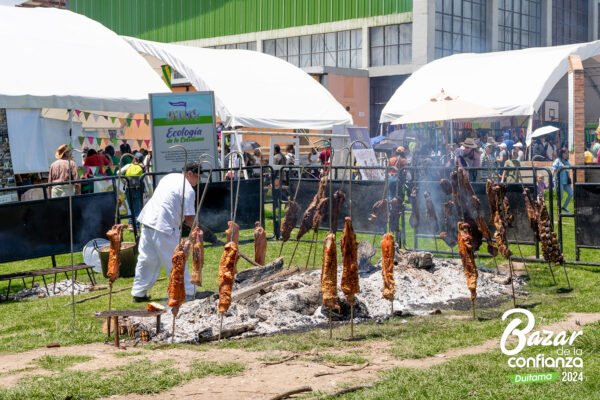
point(59, 59)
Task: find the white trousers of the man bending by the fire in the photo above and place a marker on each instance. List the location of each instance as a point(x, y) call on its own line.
point(155, 249)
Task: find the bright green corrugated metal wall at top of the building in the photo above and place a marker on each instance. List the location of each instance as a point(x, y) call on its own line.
point(177, 20)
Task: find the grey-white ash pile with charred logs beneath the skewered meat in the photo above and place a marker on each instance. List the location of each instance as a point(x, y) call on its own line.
point(271, 300)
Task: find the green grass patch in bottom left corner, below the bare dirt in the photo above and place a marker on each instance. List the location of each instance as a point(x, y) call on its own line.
point(141, 377)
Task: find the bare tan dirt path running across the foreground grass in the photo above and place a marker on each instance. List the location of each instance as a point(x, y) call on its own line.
point(259, 380)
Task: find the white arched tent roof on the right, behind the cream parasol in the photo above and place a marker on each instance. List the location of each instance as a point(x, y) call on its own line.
point(512, 82)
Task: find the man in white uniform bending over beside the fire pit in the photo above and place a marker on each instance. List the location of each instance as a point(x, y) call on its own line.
point(160, 219)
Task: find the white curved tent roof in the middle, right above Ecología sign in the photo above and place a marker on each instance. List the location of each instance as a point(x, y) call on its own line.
point(252, 89)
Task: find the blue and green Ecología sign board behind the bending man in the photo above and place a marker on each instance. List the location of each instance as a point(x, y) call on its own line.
point(186, 119)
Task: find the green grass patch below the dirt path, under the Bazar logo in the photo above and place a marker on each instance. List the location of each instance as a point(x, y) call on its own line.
point(486, 376)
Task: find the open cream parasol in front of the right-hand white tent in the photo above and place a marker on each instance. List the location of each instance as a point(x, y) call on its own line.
point(446, 108)
